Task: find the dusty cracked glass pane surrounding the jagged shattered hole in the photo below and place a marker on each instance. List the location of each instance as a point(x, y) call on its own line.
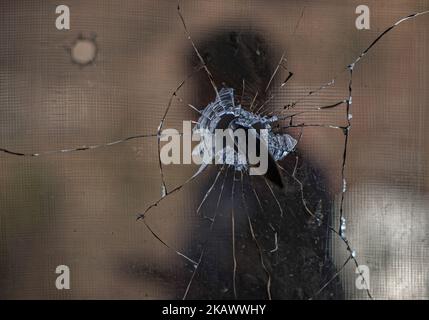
point(110, 78)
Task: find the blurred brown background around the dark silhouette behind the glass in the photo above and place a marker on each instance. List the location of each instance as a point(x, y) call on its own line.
point(79, 209)
